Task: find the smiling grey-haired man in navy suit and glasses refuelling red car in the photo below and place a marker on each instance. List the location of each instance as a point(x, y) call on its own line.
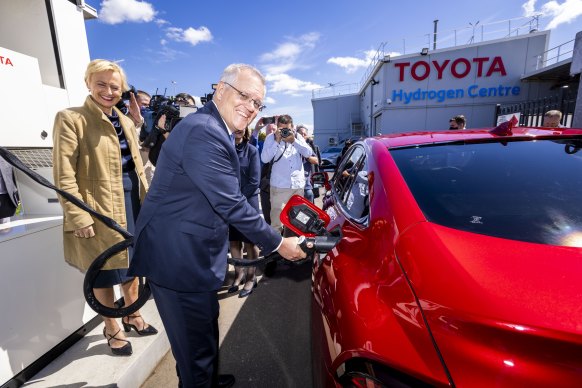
point(181, 233)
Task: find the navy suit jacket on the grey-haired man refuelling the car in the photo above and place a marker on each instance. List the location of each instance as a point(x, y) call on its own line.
point(181, 236)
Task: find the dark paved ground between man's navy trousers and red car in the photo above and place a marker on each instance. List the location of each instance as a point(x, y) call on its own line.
point(264, 338)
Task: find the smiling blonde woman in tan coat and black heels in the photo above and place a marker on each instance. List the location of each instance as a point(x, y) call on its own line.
point(96, 158)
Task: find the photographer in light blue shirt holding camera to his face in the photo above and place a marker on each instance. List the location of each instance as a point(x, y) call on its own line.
point(286, 151)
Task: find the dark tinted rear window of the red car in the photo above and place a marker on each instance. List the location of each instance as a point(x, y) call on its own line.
point(521, 190)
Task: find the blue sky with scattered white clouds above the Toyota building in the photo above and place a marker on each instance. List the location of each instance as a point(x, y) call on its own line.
point(183, 46)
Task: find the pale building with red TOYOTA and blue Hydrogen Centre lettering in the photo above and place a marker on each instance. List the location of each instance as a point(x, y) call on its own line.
point(422, 91)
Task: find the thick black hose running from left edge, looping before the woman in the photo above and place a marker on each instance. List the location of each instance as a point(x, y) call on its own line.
point(144, 291)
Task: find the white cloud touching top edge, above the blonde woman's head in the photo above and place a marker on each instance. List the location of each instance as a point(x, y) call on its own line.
point(119, 11)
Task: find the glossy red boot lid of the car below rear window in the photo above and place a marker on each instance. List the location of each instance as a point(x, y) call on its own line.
point(502, 312)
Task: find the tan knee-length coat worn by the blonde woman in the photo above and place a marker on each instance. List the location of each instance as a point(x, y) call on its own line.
point(87, 164)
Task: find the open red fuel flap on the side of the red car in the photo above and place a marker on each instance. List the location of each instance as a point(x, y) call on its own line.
point(304, 218)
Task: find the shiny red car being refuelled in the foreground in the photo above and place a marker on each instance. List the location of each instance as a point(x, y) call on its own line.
point(459, 264)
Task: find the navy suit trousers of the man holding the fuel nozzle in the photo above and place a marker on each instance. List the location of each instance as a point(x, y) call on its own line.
point(191, 323)
